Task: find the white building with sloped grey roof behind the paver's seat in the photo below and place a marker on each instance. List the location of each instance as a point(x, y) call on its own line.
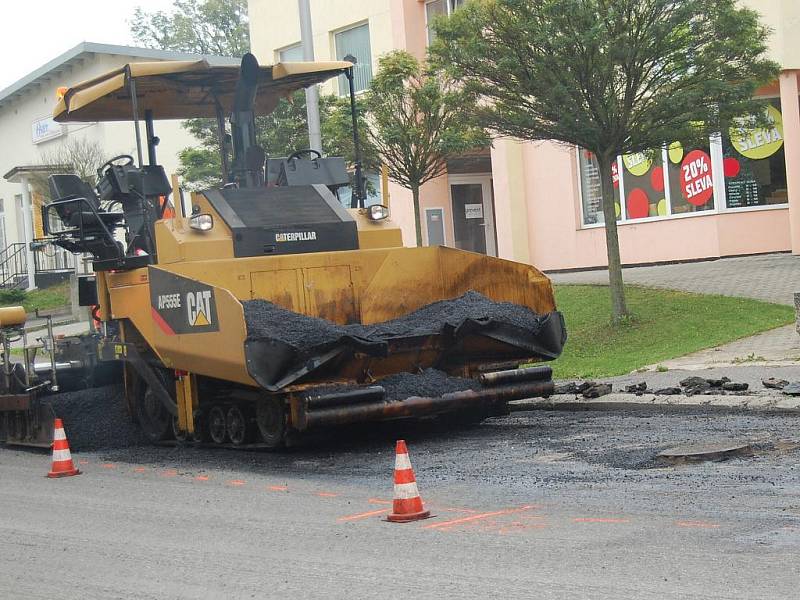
point(30, 137)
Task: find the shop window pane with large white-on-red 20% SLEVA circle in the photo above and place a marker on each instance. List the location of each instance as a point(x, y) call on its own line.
point(691, 179)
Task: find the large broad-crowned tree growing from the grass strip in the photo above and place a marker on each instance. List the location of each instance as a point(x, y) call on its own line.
point(613, 77)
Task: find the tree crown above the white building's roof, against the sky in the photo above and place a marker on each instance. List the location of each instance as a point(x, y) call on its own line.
point(216, 27)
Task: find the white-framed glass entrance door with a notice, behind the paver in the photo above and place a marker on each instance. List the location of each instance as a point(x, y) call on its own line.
point(473, 214)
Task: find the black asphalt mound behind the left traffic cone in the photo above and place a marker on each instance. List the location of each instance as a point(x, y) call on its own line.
point(96, 419)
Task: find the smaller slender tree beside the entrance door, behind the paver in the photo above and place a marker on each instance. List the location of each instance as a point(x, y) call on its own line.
point(418, 119)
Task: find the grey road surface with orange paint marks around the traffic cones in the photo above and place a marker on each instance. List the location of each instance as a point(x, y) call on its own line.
point(534, 505)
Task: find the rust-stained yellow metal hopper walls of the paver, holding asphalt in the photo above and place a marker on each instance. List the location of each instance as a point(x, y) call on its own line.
point(355, 286)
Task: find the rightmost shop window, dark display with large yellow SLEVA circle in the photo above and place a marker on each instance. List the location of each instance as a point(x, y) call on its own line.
point(754, 164)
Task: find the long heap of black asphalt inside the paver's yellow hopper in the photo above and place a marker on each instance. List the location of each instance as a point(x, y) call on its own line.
point(267, 321)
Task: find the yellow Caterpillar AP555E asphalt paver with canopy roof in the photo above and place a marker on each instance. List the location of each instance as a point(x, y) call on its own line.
point(264, 308)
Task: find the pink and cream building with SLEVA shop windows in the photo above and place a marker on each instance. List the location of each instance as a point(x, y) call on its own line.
point(539, 203)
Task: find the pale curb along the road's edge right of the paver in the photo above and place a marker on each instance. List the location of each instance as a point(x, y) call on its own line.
point(766, 402)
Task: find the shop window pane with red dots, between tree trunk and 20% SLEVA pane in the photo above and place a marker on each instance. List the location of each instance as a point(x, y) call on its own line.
point(645, 194)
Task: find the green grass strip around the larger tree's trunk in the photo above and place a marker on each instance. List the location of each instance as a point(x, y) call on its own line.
point(667, 324)
